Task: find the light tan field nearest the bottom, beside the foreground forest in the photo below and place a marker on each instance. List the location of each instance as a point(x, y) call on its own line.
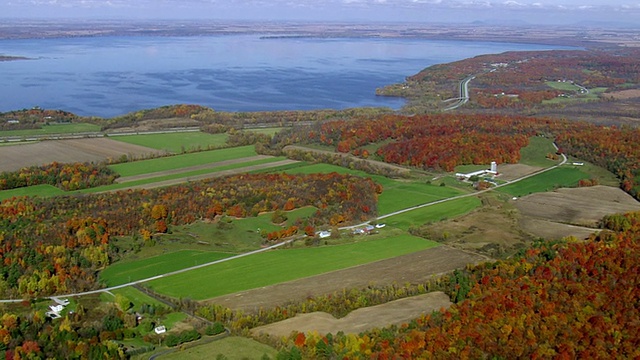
point(379, 316)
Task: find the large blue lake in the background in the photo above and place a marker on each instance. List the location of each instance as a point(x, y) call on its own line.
point(110, 76)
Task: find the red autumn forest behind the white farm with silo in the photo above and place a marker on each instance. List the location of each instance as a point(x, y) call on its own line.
point(444, 141)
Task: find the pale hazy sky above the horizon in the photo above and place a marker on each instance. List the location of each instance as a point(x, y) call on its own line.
point(530, 11)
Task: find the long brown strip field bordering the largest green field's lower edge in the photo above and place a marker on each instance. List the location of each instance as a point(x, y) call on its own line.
point(412, 268)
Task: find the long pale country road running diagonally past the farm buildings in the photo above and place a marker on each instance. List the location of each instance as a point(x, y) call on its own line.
point(564, 160)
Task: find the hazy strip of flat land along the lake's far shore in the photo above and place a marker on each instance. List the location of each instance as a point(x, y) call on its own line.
point(525, 34)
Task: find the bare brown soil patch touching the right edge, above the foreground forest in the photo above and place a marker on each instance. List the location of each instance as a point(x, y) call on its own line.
point(579, 206)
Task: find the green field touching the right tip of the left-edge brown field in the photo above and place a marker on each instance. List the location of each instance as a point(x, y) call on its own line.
point(175, 142)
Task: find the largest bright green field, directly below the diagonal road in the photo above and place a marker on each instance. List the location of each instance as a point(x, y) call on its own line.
point(283, 265)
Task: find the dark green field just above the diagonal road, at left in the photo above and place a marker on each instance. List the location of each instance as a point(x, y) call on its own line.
point(132, 270)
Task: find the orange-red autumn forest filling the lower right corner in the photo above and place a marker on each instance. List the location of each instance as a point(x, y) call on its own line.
point(565, 300)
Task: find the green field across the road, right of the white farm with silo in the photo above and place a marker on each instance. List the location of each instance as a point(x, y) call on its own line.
point(565, 176)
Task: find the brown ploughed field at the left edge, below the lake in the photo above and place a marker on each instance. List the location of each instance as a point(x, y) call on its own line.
point(67, 151)
